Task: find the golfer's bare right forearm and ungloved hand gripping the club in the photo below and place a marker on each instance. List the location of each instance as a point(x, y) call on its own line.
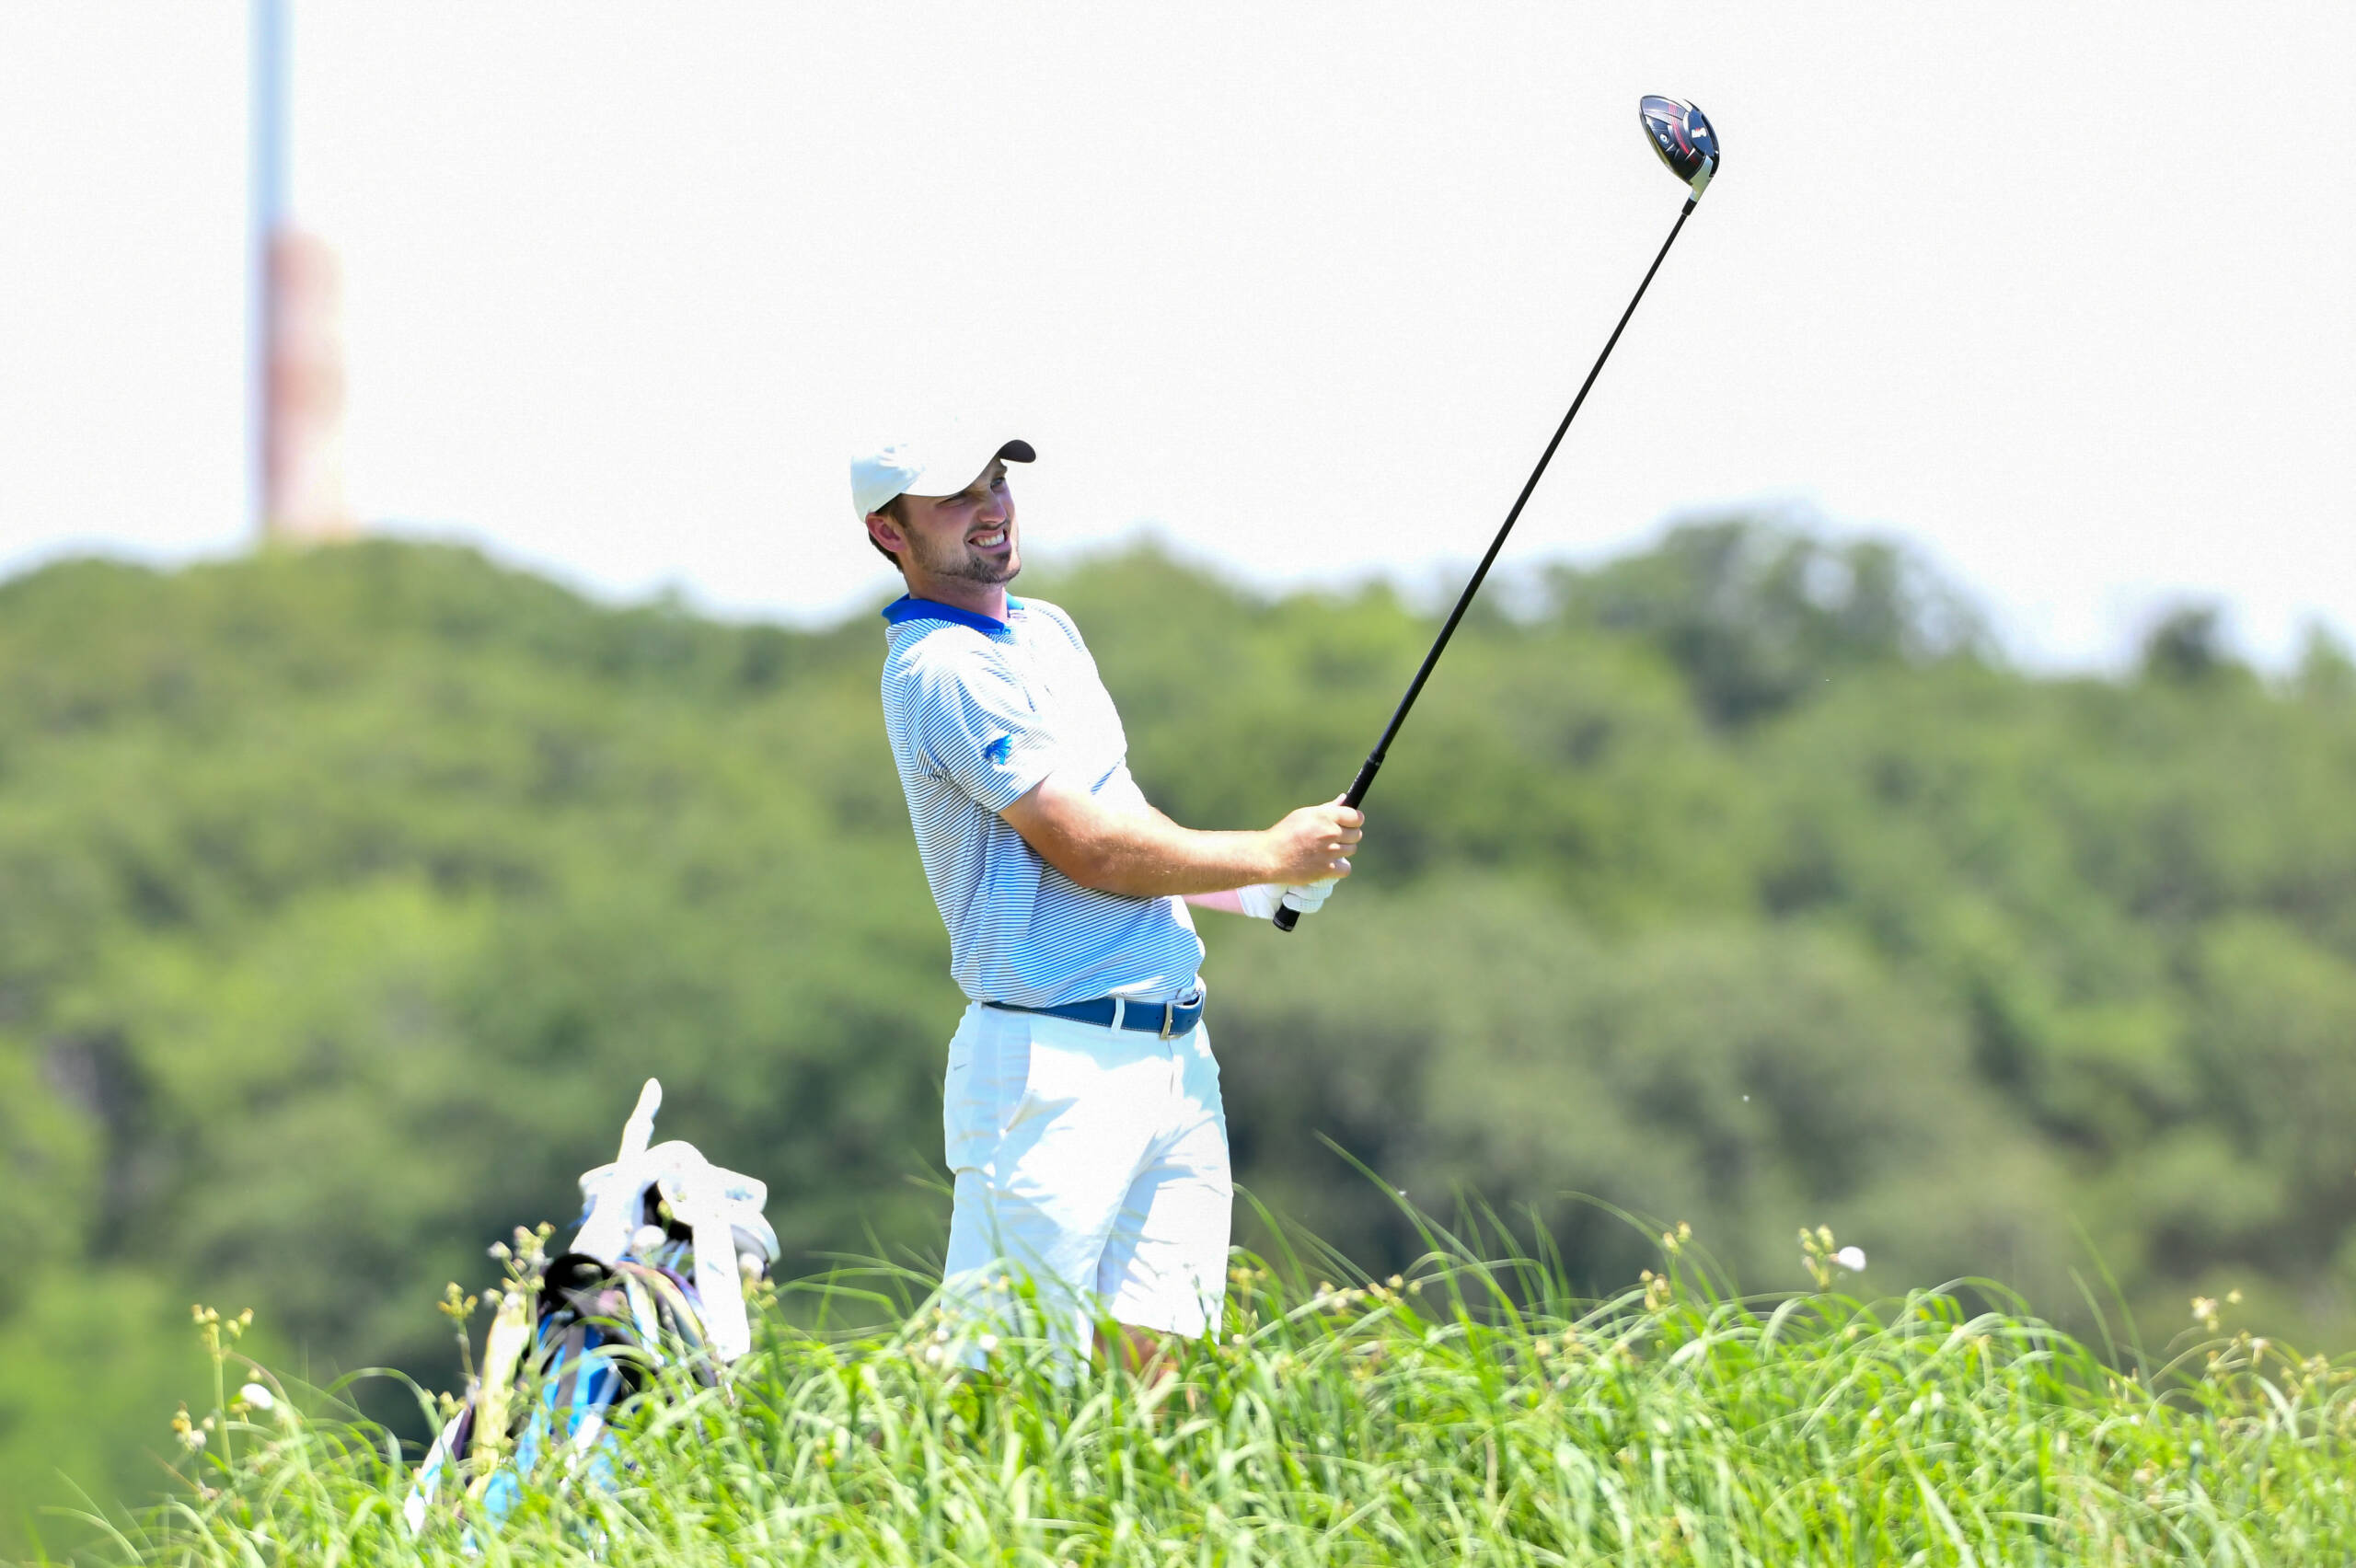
point(1149, 856)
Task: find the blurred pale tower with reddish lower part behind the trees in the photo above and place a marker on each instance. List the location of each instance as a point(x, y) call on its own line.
point(298, 347)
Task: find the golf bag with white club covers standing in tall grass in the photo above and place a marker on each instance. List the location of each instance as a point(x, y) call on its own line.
point(656, 1277)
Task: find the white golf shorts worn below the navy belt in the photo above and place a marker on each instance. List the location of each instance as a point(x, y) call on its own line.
point(1092, 1162)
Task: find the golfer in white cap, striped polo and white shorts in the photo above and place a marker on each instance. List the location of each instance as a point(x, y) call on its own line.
point(1083, 1115)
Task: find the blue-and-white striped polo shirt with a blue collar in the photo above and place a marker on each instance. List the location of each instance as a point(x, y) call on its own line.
point(979, 715)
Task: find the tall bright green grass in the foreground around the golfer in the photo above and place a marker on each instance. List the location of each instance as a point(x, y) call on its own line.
point(1469, 1414)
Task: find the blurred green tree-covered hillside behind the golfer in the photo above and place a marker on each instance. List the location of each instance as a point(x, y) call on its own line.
point(348, 896)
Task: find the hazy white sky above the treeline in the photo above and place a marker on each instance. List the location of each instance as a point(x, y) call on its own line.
point(2063, 293)
